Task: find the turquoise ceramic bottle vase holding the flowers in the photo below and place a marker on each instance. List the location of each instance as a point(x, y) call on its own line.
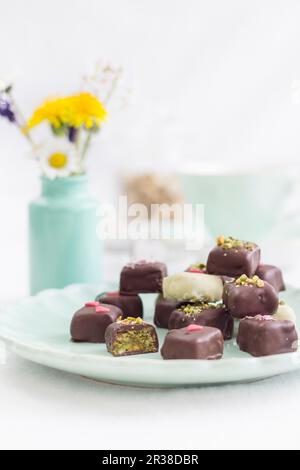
point(64, 247)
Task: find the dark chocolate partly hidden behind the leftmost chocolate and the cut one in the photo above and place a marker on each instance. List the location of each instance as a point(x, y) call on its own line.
point(131, 305)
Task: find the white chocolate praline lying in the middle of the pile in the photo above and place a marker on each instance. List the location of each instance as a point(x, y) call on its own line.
point(193, 286)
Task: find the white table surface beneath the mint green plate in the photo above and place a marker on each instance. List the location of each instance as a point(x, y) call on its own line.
point(45, 408)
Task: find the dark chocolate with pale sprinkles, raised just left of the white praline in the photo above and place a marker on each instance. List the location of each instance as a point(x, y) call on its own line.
point(142, 277)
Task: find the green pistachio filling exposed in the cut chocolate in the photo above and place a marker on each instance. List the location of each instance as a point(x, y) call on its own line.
point(134, 342)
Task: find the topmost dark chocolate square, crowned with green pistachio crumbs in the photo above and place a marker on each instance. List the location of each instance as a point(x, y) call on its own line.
point(232, 257)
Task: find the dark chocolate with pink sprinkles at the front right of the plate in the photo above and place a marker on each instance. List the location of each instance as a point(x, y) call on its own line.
point(261, 336)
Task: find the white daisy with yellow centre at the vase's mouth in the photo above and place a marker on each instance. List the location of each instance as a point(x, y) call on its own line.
point(58, 158)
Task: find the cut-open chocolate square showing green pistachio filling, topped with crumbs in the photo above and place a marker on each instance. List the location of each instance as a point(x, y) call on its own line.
point(131, 336)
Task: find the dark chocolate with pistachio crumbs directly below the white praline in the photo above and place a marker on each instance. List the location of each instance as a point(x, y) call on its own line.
point(216, 317)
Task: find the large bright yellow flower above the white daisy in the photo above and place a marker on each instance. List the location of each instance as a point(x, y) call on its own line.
point(79, 110)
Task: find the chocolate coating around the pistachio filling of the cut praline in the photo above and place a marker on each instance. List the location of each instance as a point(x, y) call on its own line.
point(119, 328)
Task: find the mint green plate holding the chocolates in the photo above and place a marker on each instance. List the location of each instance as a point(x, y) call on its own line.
point(37, 329)
